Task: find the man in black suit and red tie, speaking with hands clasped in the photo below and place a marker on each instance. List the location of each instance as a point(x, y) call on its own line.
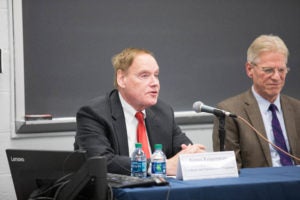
point(106, 126)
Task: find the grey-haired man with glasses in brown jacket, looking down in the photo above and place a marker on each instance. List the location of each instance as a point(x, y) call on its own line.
point(267, 67)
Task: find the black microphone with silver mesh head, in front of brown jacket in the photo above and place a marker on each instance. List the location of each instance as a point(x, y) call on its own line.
point(198, 106)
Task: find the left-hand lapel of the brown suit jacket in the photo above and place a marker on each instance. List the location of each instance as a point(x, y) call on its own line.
point(256, 120)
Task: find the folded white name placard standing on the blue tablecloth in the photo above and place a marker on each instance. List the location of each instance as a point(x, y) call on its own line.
point(207, 165)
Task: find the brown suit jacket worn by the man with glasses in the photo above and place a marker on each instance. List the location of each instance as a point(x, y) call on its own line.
point(250, 149)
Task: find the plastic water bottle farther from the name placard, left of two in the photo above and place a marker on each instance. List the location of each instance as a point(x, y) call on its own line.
point(138, 162)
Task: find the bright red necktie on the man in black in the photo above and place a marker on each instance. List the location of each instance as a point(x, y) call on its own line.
point(142, 134)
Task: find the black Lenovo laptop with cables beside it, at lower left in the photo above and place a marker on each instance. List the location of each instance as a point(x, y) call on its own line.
point(42, 173)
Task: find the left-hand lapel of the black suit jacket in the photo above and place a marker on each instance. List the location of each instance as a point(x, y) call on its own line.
point(118, 121)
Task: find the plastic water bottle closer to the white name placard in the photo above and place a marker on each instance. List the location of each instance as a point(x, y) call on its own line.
point(158, 162)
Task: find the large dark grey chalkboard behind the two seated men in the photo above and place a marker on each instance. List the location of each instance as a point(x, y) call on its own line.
point(200, 47)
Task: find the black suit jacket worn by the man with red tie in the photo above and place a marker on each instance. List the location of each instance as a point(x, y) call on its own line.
point(101, 130)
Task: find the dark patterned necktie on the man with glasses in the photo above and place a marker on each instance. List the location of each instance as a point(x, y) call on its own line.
point(278, 136)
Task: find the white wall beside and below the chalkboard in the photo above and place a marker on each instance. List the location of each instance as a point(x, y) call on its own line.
point(199, 134)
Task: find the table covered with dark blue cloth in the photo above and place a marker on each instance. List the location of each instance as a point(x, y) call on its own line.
point(282, 183)
